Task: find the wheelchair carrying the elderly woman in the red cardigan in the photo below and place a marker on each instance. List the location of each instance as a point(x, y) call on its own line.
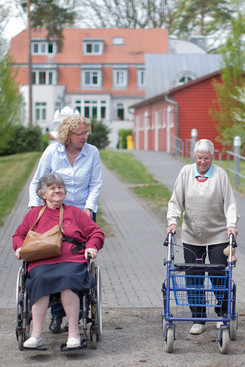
point(91, 311)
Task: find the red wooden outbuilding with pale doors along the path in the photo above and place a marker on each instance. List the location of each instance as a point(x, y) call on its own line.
point(165, 121)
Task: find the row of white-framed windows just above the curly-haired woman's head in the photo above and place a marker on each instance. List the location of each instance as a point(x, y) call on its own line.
point(92, 108)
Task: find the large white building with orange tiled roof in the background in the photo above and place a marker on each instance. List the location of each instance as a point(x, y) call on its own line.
point(99, 72)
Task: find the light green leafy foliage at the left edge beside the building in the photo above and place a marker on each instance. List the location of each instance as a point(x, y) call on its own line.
point(10, 101)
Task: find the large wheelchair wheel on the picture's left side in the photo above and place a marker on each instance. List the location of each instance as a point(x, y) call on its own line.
point(23, 310)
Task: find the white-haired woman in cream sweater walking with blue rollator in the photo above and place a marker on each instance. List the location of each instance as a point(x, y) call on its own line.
point(204, 192)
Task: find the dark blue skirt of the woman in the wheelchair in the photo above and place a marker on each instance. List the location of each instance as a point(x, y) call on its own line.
point(46, 280)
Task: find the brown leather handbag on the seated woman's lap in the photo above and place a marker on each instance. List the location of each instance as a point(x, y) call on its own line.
point(37, 246)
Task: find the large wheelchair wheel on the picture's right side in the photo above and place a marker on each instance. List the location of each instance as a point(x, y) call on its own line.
point(96, 307)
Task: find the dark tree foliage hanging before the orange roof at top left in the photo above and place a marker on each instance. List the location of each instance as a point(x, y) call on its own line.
point(50, 15)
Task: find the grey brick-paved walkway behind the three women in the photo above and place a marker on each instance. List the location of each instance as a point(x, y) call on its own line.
point(131, 261)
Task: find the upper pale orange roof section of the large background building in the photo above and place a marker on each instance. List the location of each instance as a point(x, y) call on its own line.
point(137, 42)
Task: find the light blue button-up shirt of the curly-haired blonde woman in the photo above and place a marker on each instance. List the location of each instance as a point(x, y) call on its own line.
point(83, 180)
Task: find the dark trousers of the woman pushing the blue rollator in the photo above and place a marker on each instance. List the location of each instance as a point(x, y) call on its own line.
point(198, 254)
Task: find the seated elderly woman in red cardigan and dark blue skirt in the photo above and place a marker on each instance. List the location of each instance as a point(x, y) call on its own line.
point(66, 273)
